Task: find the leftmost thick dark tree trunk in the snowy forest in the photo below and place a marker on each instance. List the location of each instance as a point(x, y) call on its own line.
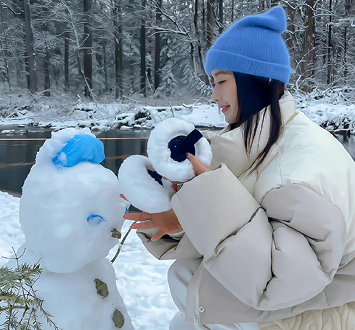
point(30, 54)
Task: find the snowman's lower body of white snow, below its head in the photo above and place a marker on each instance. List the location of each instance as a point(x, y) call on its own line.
point(72, 298)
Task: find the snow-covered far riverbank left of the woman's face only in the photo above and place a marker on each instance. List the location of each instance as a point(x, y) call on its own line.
point(62, 112)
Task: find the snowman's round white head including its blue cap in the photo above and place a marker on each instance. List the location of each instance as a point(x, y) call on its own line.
point(70, 203)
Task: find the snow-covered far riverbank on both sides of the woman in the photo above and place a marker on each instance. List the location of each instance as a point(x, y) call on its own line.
point(332, 109)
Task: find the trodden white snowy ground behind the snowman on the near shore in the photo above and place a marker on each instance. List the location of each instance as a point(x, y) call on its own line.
point(141, 279)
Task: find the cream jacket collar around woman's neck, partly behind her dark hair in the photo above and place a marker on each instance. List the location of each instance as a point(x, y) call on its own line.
point(228, 146)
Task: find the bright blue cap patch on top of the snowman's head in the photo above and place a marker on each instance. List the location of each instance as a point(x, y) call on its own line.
point(80, 148)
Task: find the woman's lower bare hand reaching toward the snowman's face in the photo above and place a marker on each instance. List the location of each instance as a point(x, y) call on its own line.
point(166, 222)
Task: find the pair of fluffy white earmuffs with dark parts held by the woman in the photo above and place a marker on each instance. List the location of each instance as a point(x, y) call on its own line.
point(141, 179)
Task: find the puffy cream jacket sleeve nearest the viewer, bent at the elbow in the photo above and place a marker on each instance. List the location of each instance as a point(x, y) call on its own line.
point(272, 256)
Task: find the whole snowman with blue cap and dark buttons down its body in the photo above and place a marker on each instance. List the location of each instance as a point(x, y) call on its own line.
point(71, 215)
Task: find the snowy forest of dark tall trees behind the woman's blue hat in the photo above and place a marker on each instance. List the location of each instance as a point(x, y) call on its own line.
point(114, 49)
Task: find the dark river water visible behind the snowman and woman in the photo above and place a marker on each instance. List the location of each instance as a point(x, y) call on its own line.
point(17, 157)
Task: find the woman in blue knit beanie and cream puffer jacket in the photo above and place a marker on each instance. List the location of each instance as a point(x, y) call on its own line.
point(267, 238)
